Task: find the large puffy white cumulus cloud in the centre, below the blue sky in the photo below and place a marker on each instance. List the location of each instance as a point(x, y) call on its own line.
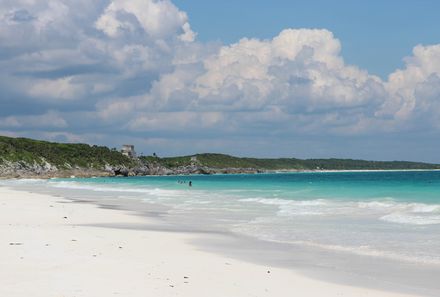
point(299, 76)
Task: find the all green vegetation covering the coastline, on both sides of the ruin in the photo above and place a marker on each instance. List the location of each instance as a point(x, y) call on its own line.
point(65, 156)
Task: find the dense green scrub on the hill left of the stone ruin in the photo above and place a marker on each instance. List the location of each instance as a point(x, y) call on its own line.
point(60, 154)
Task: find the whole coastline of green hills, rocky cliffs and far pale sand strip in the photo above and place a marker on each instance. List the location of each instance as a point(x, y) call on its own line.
point(28, 158)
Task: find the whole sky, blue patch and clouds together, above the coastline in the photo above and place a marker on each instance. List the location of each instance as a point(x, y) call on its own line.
point(306, 79)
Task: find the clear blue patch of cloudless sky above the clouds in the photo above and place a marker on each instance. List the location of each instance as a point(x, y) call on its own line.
point(375, 34)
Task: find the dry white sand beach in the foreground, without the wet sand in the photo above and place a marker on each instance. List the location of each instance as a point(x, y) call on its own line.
point(48, 247)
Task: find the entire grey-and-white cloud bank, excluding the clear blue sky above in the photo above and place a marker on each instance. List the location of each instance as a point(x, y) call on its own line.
point(115, 71)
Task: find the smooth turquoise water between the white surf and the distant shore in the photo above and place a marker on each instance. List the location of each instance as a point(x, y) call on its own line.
point(415, 186)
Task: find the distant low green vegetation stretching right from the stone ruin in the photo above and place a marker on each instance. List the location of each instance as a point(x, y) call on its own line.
point(226, 161)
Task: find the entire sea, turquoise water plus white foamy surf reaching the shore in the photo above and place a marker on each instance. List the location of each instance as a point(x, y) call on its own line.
point(392, 215)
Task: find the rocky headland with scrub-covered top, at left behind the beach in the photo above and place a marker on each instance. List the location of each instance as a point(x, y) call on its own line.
point(28, 158)
